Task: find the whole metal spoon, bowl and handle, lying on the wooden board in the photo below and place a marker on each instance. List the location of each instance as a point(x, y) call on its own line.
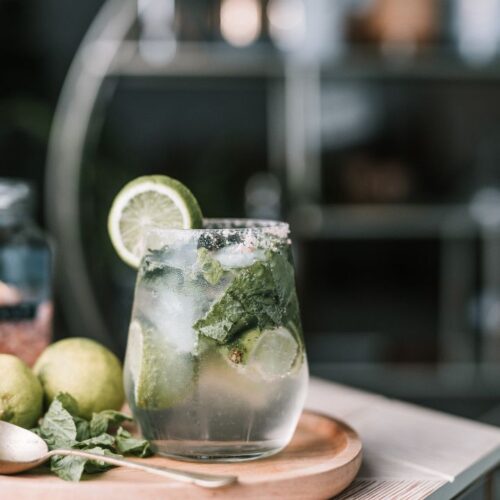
point(21, 450)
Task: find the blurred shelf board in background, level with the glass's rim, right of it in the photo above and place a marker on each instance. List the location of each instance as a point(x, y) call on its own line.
point(382, 221)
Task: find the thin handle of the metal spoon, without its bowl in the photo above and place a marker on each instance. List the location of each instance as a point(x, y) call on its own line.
point(197, 478)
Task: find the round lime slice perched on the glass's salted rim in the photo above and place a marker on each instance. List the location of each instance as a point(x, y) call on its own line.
point(149, 201)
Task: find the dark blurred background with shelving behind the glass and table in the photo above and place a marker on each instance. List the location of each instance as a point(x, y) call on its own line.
point(373, 126)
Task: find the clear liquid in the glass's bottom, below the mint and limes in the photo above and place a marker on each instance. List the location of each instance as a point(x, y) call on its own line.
point(228, 416)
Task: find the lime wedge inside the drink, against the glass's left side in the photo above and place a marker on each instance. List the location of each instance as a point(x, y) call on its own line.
point(161, 376)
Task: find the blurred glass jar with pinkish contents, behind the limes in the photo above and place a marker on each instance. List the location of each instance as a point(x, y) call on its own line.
point(26, 308)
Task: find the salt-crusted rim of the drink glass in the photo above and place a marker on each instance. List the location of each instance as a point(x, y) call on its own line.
point(251, 233)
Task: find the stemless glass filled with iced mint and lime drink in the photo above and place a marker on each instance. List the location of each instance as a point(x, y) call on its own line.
point(215, 368)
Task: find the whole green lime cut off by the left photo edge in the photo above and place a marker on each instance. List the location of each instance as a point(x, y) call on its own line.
point(21, 395)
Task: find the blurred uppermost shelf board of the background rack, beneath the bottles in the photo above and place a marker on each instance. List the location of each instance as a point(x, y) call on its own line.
point(218, 59)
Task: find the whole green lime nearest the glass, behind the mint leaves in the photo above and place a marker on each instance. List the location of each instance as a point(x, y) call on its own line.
point(85, 369)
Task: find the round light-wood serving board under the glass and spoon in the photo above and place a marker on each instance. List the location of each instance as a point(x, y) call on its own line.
point(320, 462)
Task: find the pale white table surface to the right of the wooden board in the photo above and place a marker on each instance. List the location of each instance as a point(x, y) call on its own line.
point(409, 452)
